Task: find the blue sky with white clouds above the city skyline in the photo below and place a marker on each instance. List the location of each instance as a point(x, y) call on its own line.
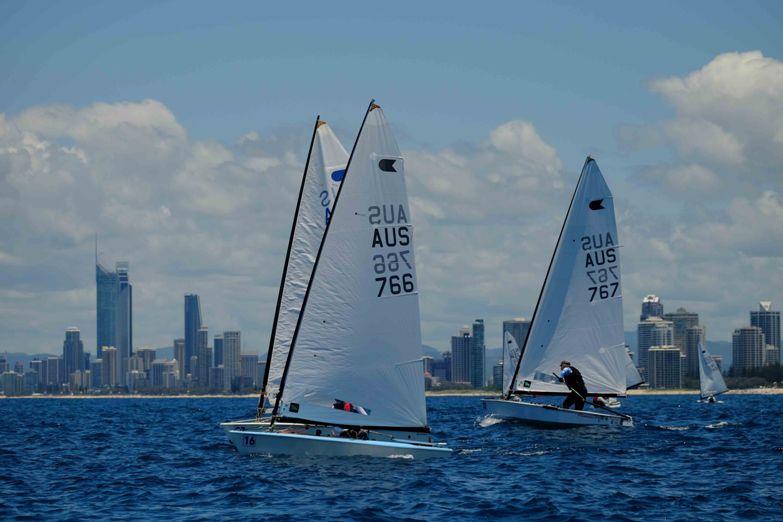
point(178, 131)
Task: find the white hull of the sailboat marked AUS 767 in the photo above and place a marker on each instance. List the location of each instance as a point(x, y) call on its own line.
point(548, 415)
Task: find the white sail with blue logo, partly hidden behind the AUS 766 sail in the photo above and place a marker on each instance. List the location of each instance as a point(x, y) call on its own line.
point(325, 171)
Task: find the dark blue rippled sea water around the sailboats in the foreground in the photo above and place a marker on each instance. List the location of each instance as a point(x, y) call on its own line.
point(168, 459)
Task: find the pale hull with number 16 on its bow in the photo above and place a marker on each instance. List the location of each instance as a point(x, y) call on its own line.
point(297, 444)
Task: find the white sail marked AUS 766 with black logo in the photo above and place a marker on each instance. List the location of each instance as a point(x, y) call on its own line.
point(357, 355)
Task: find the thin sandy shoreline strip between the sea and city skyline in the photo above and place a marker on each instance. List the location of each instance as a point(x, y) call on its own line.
point(443, 393)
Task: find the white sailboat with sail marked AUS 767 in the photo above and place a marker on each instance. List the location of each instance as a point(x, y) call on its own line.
point(578, 317)
